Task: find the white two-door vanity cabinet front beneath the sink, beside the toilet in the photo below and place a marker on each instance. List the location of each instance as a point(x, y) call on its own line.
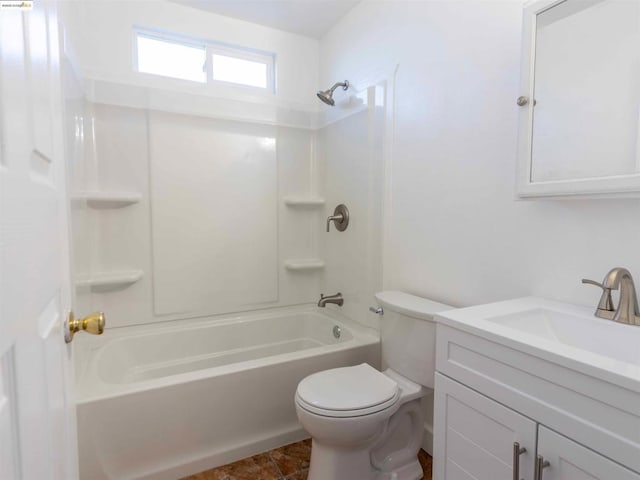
point(491, 393)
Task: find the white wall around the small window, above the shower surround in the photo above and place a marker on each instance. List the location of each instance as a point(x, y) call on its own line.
point(101, 31)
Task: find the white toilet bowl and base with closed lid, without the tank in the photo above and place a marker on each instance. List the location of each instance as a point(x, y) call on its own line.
point(354, 440)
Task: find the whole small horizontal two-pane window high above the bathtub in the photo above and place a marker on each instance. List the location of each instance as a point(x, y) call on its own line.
point(185, 58)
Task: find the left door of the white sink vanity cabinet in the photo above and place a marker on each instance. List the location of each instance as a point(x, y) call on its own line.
point(474, 436)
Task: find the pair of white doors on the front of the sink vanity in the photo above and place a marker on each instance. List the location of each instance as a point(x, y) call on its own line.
point(476, 438)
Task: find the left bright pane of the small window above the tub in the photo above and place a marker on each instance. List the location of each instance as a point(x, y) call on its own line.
point(171, 59)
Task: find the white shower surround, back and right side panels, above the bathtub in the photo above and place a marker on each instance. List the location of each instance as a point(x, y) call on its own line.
point(215, 228)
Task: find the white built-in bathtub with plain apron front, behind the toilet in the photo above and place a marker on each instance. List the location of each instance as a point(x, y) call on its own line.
point(165, 401)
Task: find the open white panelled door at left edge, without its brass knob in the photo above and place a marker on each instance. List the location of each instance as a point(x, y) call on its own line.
point(37, 413)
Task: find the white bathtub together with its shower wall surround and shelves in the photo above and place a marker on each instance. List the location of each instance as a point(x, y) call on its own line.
point(199, 230)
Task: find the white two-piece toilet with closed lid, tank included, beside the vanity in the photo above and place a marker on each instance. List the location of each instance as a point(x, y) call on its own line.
point(368, 425)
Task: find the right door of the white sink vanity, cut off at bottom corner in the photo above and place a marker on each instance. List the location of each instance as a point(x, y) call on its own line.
point(571, 461)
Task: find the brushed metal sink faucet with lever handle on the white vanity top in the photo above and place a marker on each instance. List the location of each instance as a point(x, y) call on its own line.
point(627, 310)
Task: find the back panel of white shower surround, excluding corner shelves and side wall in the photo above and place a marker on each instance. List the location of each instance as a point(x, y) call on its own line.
point(211, 231)
